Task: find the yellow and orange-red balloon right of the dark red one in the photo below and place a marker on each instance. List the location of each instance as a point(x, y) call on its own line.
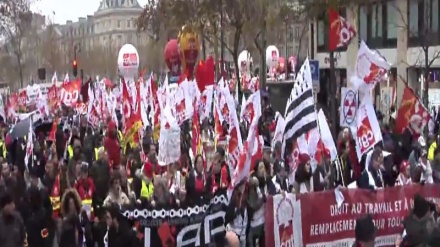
point(189, 47)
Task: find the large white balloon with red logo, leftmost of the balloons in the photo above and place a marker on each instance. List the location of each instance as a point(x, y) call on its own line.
point(128, 62)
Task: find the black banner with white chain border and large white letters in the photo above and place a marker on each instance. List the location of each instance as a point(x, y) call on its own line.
point(182, 227)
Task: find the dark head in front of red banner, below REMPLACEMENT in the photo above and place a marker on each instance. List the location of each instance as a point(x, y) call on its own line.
point(365, 232)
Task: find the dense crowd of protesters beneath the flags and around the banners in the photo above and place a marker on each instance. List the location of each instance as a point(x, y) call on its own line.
point(71, 191)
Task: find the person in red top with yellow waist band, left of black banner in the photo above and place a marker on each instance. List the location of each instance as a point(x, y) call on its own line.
point(86, 189)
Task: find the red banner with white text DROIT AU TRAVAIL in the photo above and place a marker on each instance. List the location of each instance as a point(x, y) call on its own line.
point(323, 223)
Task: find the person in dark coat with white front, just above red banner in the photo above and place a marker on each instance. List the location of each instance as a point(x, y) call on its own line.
point(371, 177)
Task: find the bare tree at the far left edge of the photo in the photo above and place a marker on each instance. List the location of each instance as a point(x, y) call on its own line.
point(15, 23)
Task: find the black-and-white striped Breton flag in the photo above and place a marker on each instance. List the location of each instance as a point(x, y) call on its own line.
point(300, 116)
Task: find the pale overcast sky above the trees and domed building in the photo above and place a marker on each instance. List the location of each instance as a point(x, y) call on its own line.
point(67, 9)
